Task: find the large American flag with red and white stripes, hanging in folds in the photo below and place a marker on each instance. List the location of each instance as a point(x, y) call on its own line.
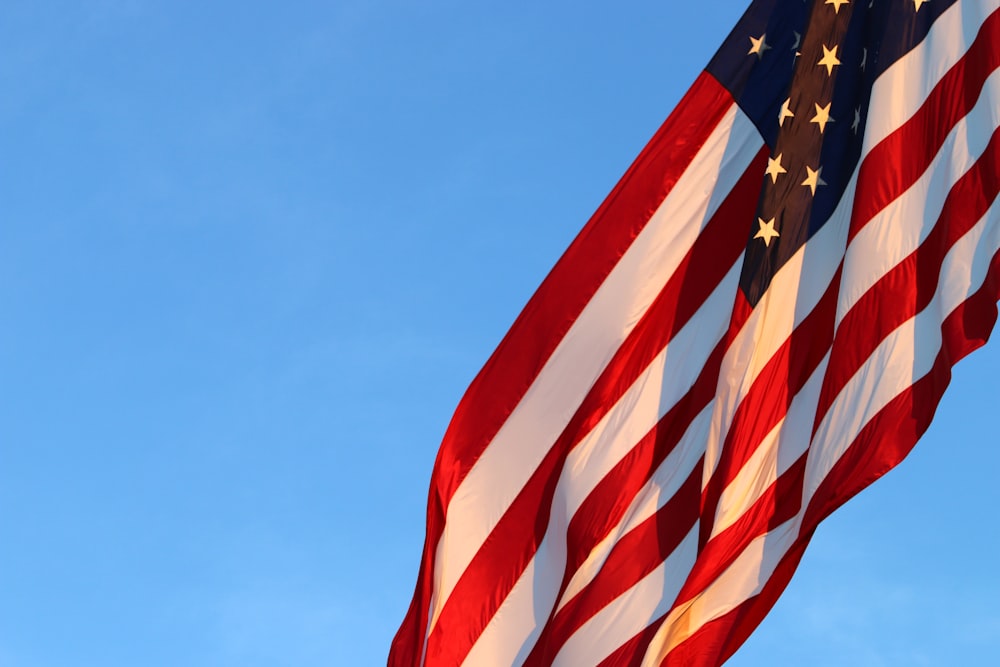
point(757, 323)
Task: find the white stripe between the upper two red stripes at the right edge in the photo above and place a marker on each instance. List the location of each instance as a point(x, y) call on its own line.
point(901, 227)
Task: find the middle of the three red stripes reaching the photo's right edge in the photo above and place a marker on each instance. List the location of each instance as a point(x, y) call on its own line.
point(906, 290)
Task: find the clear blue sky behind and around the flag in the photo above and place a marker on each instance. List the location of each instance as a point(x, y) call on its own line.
point(251, 254)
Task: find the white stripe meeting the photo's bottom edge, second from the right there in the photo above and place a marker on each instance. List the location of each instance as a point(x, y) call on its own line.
point(631, 612)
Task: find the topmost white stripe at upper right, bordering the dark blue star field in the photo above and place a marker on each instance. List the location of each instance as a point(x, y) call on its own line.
point(903, 88)
